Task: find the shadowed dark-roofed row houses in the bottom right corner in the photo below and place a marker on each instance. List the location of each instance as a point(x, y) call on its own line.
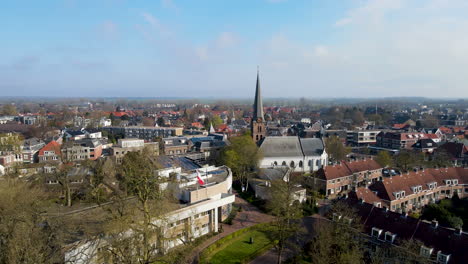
point(383, 228)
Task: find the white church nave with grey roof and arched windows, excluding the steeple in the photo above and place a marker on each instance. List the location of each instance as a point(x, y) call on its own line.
point(302, 154)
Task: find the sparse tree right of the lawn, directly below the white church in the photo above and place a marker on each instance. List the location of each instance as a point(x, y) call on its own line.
point(287, 211)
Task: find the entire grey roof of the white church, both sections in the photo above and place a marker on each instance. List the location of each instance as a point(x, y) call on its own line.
point(291, 146)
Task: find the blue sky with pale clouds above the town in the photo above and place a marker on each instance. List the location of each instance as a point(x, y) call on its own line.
point(211, 48)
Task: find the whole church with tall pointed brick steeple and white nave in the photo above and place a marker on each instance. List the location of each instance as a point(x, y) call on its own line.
point(300, 154)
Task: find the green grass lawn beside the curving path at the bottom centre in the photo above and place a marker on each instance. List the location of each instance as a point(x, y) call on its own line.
point(239, 248)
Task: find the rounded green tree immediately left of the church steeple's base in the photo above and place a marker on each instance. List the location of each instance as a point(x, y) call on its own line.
point(242, 156)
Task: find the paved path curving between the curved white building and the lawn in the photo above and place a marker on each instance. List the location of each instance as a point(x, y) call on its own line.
point(250, 215)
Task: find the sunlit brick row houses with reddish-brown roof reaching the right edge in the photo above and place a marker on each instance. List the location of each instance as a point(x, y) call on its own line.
point(413, 190)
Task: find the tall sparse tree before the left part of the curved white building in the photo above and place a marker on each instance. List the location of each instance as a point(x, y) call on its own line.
point(136, 233)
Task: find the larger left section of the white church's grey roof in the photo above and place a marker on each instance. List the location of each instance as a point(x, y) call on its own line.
point(281, 147)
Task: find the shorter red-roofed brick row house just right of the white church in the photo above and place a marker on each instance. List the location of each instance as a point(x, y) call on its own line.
point(347, 176)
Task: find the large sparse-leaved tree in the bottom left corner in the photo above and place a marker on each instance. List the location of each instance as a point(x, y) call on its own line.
point(25, 236)
